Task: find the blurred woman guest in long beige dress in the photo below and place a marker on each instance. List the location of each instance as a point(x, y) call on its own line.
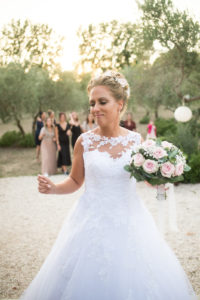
point(48, 148)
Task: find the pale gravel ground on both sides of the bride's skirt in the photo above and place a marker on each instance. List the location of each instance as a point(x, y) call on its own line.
point(30, 223)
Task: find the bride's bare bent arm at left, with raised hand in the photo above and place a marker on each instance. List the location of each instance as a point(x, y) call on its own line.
point(73, 182)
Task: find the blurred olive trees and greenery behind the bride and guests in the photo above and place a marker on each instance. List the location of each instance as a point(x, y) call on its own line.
point(159, 55)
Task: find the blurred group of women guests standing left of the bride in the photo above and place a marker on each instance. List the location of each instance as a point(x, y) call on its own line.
point(52, 137)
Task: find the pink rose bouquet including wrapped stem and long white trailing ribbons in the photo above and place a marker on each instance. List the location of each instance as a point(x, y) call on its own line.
point(161, 164)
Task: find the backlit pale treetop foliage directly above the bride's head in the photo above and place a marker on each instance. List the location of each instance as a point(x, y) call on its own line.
point(111, 45)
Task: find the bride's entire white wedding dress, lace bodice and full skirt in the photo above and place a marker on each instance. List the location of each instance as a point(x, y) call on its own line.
point(109, 247)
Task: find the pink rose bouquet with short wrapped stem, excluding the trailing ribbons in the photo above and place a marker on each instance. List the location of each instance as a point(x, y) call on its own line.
point(157, 162)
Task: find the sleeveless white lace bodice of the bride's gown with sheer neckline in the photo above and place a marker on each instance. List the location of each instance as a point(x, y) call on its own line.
point(104, 161)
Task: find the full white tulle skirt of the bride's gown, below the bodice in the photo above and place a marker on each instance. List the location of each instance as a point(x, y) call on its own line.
point(110, 257)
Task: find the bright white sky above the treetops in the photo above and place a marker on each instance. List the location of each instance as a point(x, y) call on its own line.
point(65, 16)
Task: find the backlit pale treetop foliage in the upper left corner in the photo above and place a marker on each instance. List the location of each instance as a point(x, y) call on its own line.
point(30, 44)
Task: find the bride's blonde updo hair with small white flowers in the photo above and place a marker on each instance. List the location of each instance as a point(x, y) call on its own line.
point(117, 84)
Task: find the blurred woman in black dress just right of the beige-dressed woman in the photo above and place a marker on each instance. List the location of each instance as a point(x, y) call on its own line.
point(62, 139)
